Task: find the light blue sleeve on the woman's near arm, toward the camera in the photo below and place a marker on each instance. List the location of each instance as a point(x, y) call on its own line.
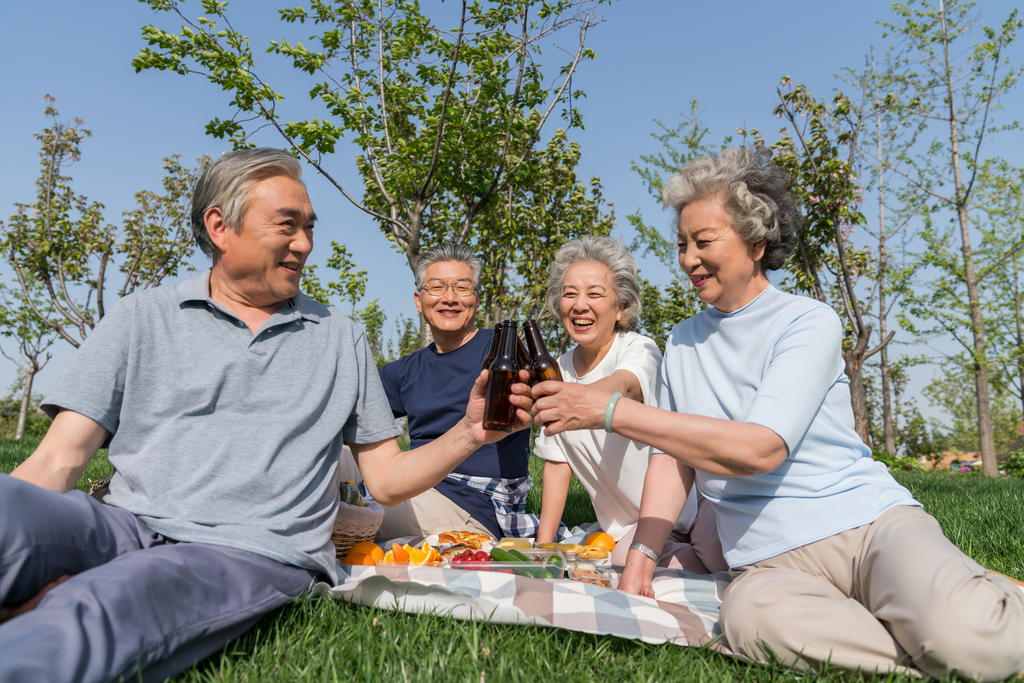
point(805, 364)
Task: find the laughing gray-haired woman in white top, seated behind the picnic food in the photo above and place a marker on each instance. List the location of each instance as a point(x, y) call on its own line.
point(593, 289)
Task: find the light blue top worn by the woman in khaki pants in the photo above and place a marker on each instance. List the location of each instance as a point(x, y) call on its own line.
point(778, 363)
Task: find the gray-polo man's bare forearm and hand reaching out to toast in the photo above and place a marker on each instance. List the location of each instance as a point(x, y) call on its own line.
point(393, 476)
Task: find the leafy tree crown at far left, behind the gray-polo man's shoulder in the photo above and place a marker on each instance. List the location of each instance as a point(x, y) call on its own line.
point(63, 251)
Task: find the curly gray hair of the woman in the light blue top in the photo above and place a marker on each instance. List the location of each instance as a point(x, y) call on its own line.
point(756, 195)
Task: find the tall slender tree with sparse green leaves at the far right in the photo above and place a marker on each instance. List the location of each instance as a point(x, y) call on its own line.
point(956, 89)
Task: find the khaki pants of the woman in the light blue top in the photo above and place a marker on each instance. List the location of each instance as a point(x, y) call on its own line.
point(891, 596)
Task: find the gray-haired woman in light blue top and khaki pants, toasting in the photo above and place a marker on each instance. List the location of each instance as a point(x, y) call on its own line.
point(834, 563)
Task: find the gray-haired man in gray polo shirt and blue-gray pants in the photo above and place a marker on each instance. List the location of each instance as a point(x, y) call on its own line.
point(226, 401)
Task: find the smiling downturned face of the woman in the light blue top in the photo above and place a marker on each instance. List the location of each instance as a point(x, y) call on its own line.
point(722, 269)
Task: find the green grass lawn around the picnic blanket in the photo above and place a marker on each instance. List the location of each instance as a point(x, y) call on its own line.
point(320, 641)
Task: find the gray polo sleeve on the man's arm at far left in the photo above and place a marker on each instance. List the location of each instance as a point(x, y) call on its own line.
point(94, 382)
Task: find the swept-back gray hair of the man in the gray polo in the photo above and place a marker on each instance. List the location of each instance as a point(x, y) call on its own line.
point(228, 184)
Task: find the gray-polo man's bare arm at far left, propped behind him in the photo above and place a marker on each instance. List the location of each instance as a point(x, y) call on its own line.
point(69, 446)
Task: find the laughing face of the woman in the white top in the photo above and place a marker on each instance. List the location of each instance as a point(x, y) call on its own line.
point(589, 307)
